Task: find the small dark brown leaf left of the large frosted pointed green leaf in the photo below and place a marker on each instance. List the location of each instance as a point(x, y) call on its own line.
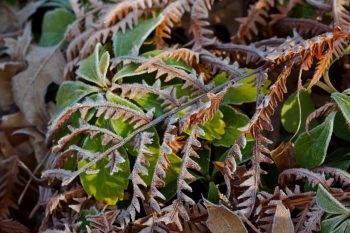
point(284, 156)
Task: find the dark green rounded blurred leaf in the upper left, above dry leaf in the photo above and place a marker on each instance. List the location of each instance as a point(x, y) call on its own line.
point(55, 23)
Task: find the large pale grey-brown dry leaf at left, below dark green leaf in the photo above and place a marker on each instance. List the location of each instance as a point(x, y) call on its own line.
point(29, 86)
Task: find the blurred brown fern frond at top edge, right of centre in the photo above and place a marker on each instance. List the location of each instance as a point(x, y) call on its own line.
point(257, 14)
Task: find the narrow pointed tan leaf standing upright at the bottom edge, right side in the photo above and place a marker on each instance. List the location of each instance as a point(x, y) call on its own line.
point(282, 222)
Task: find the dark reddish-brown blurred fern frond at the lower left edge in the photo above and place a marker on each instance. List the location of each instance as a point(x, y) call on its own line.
point(8, 185)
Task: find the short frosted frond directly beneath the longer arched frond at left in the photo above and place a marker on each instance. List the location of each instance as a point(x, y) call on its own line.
point(85, 128)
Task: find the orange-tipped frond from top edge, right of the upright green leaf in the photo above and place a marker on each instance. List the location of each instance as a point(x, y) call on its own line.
point(172, 15)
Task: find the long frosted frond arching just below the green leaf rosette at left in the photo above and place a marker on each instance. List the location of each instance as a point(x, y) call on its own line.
point(109, 110)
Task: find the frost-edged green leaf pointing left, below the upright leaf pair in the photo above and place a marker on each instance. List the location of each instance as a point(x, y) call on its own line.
point(71, 92)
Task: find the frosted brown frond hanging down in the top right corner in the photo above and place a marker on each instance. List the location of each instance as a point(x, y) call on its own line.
point(341, 15)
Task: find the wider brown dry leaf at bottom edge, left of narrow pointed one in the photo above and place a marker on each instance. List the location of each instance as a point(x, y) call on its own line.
point(222, 220)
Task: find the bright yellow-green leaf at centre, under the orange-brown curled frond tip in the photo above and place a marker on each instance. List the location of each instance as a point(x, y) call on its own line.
point(214, 128)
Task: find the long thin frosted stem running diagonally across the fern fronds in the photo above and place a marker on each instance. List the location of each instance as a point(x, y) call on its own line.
point(157, 121)
